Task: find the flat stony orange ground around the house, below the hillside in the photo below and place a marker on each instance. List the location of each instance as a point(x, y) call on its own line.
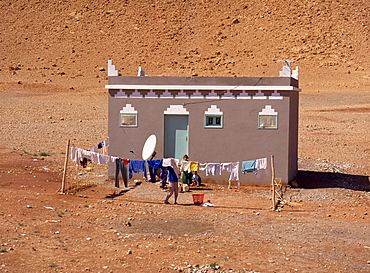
point(325, 227)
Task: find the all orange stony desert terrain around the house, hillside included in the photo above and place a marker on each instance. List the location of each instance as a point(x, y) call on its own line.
point(52, 78)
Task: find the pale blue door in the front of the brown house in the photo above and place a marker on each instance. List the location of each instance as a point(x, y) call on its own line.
point(175, 136)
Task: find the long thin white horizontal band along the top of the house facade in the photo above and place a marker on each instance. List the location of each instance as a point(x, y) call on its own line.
point(202, 87)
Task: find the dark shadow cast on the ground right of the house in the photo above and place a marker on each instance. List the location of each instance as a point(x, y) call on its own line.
point(315, 180)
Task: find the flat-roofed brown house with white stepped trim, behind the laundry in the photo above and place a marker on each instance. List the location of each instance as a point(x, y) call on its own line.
point(212, 119)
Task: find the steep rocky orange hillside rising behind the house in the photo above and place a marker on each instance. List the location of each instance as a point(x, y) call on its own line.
point(68, 43)
